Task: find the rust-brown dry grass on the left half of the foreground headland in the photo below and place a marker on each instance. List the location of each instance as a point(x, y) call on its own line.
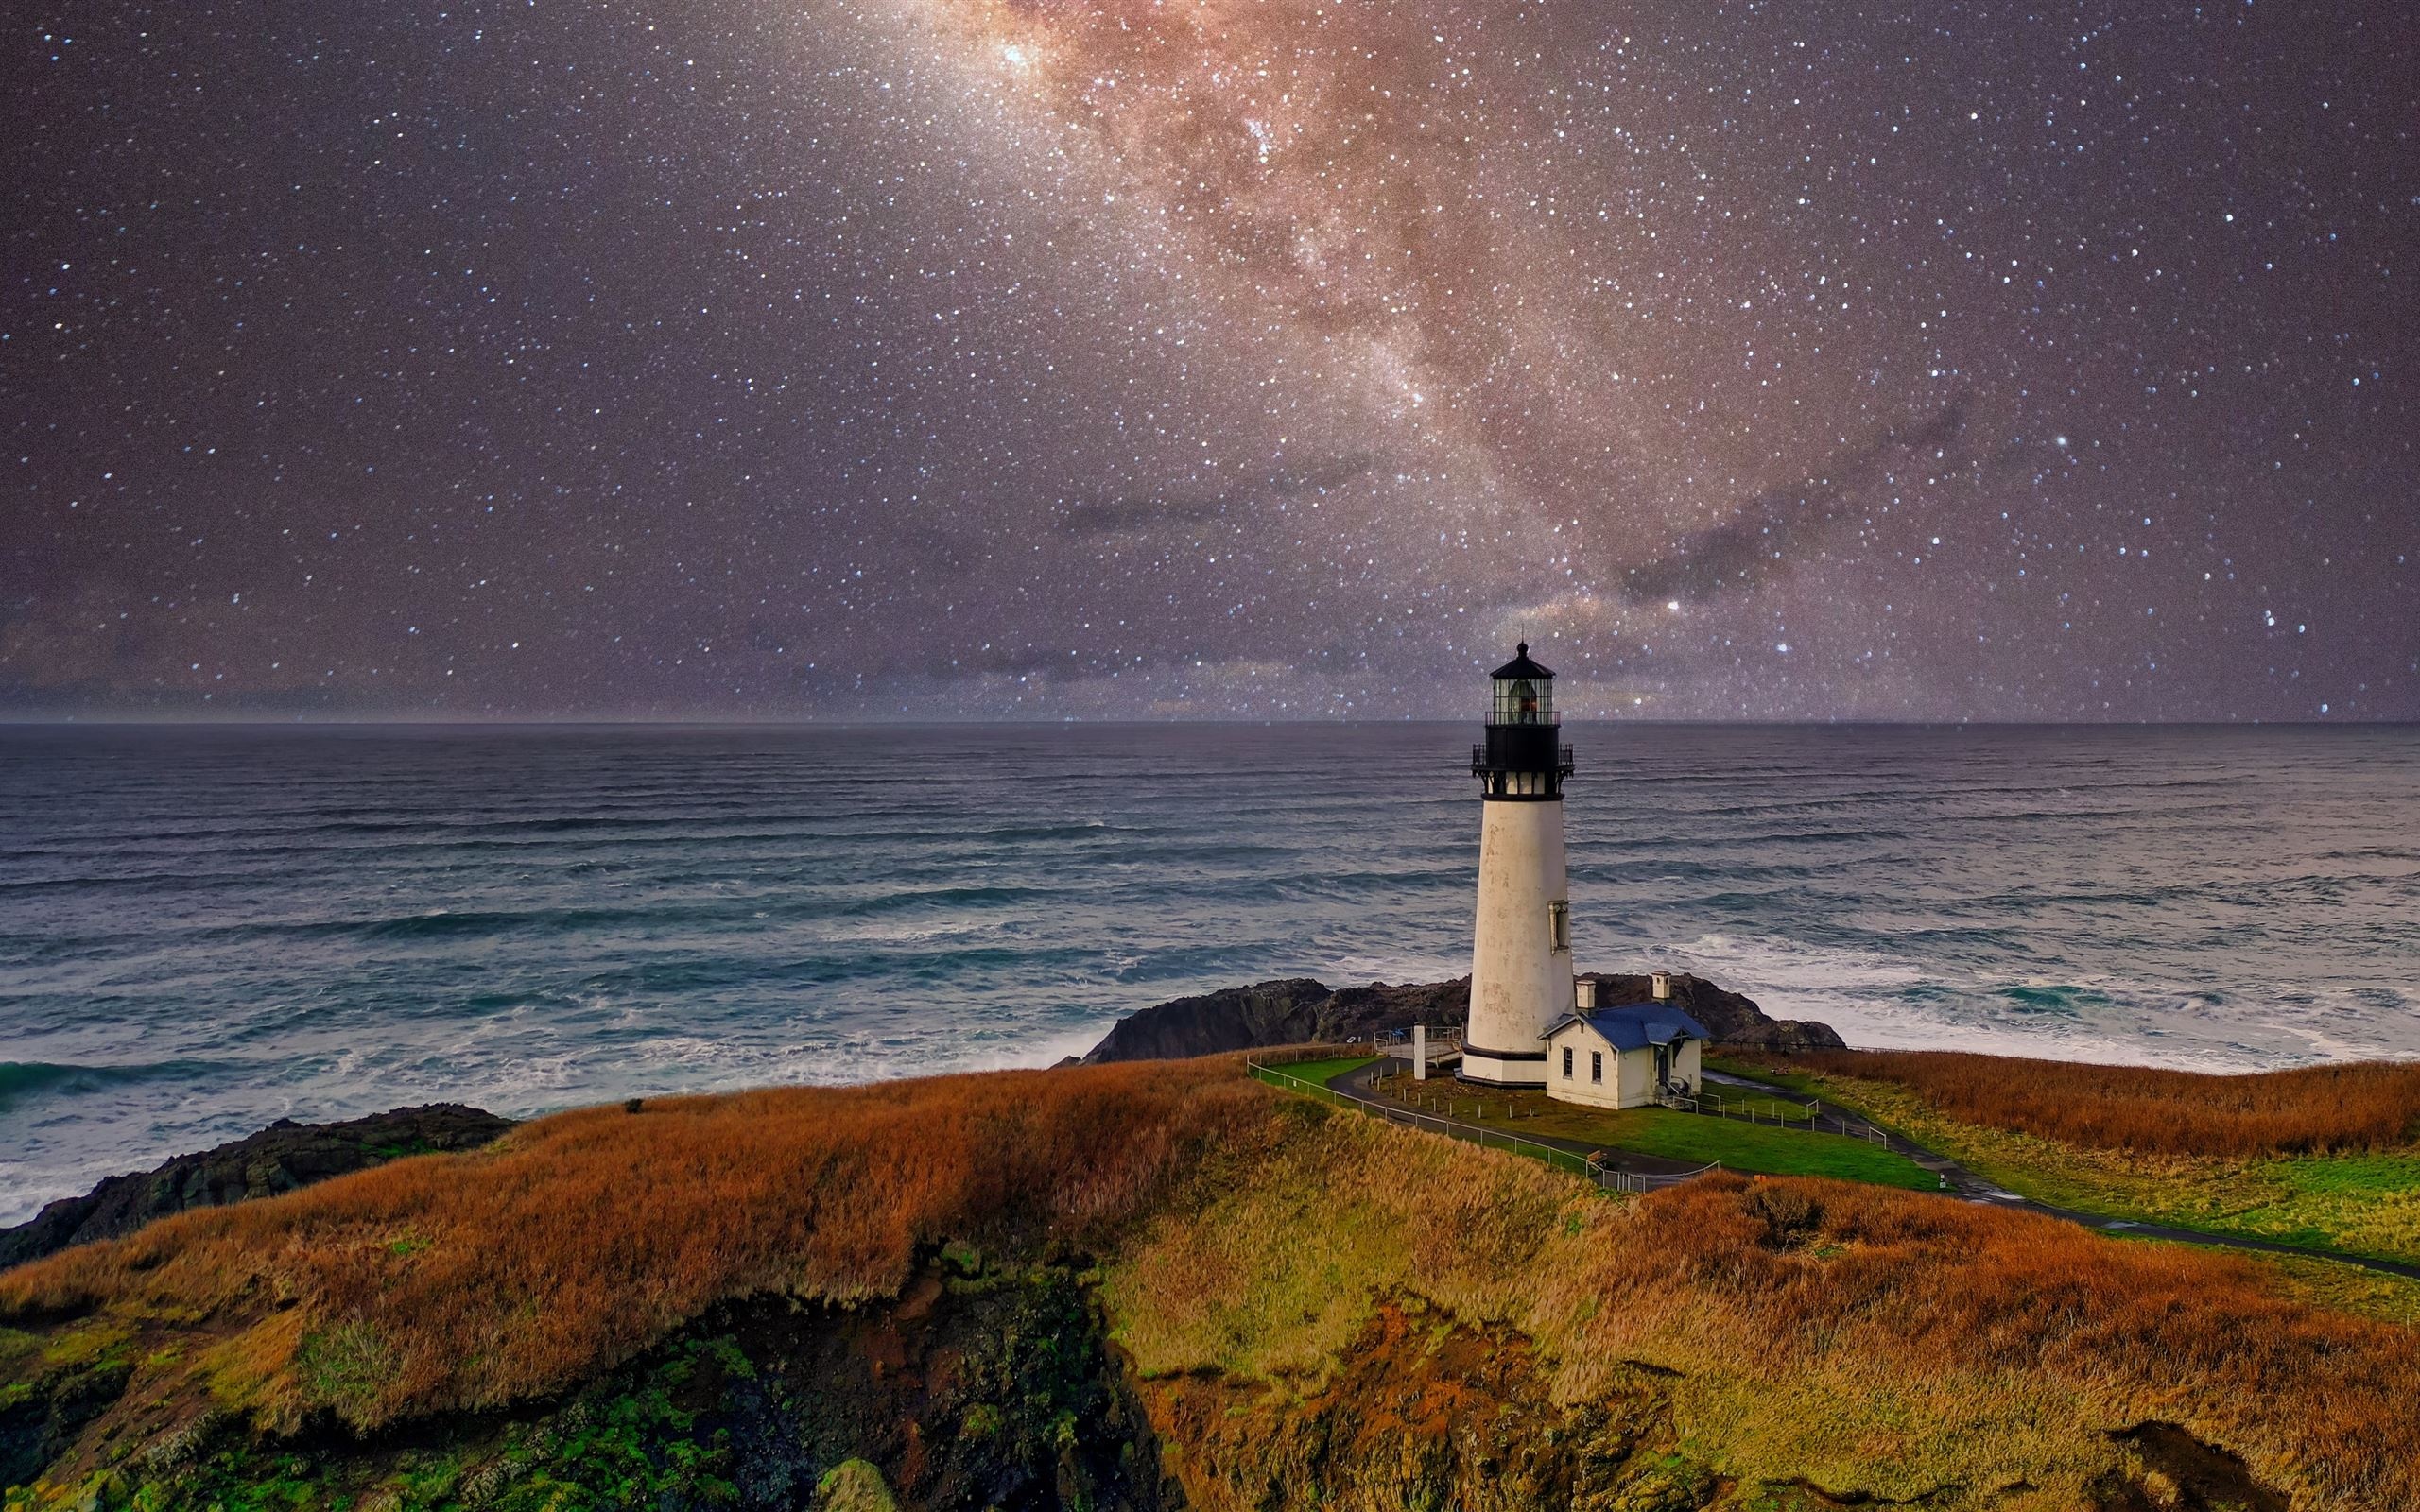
point(473, 1281)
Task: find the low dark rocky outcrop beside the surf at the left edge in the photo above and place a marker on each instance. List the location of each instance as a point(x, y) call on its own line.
point(280, 1160)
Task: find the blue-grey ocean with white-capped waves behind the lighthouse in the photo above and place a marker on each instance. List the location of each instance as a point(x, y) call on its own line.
point(204, 930)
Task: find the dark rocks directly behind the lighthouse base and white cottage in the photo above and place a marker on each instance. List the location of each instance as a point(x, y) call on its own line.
point(1306, 1012)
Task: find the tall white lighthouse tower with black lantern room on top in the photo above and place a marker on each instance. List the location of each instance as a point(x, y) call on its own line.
point(1521, 952)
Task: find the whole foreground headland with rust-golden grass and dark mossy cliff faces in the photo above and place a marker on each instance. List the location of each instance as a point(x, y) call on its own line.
point(1318, 1310)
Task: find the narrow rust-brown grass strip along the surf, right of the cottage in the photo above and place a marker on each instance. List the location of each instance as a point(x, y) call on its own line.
point(2303, 1112)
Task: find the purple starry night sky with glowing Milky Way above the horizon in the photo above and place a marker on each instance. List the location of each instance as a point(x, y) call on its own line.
point(1136, 359)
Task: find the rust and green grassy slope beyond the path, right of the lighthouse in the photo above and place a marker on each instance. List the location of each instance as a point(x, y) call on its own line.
point(2286, 1155)
